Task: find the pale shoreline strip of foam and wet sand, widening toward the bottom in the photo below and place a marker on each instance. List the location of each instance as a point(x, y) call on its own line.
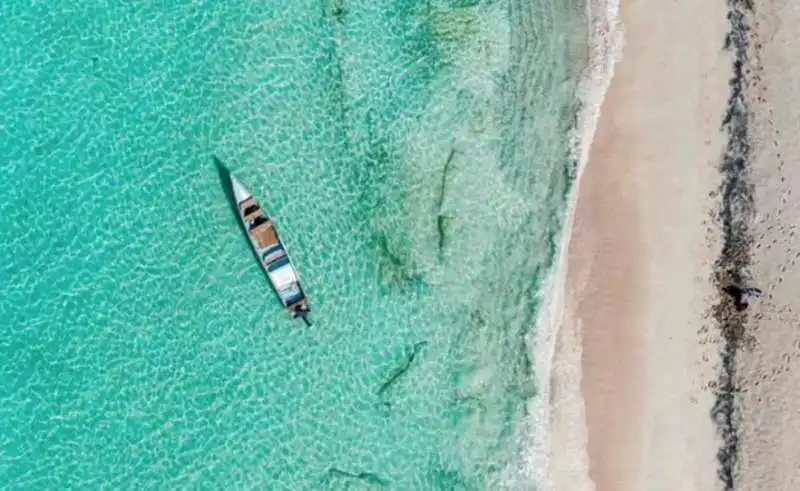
point(558, 410)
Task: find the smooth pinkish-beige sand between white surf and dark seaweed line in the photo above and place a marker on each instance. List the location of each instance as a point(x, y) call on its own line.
point(640, 256)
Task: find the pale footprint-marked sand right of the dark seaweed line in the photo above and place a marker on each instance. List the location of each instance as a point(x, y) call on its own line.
point(768, 369)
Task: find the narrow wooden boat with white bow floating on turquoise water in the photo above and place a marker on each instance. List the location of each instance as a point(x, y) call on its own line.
point(271, 252)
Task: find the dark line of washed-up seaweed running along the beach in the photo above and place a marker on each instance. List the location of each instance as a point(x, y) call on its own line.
point(731, 266)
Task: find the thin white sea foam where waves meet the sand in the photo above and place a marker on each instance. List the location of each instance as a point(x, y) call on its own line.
point(605, 36)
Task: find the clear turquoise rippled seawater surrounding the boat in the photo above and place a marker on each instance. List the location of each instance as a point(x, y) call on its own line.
point(414, 157)
